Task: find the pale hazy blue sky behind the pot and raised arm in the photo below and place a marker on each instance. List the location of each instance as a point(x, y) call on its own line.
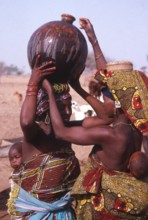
point(120, 25)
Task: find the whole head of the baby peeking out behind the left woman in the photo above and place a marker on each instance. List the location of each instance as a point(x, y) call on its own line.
point(15, 155)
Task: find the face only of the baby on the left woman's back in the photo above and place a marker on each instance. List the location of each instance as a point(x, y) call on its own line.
point(15, 158)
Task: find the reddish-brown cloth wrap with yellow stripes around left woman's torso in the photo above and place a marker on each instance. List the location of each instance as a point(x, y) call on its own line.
point(46, 177)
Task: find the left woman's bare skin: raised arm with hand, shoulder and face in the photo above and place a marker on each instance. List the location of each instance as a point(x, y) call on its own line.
point(39, 137)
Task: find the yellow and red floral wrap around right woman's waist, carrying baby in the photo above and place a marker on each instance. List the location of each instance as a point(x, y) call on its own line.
point(119, 195)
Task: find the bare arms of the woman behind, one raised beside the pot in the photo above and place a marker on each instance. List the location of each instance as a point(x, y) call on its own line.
point(104, 111)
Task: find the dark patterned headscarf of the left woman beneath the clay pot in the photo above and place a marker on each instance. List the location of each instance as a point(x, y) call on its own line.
point(61, 93)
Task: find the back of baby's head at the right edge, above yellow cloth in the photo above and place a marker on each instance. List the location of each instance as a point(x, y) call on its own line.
point(138, 165)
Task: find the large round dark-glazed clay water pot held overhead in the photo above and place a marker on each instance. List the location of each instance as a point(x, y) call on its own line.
point(62, 42)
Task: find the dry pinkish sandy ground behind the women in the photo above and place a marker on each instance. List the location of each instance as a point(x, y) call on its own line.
point(10, 128)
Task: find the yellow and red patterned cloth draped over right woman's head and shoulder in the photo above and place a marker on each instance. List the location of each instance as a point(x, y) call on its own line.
point(130, 89)
